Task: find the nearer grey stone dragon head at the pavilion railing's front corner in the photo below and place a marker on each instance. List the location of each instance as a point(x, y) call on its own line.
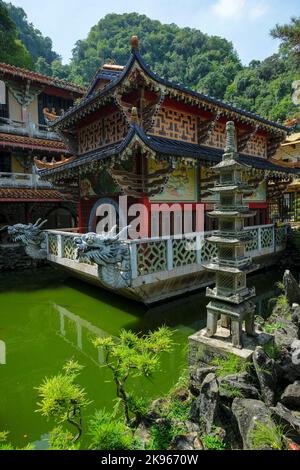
point(110, 253)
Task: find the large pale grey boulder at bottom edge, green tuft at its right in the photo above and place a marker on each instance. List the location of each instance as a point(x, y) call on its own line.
point(247, 413)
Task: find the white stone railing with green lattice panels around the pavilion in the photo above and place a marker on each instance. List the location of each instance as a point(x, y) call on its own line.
point(156, 255)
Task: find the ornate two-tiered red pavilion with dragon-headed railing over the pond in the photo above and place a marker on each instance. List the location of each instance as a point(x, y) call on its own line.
point(139, 135)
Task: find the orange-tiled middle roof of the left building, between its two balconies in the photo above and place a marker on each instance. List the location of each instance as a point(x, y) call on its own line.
point(19, 141)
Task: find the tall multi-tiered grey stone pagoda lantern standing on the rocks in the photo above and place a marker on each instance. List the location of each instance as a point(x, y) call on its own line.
point(231, 298)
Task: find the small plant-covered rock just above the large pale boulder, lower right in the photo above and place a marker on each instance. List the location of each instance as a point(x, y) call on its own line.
point(238, 385)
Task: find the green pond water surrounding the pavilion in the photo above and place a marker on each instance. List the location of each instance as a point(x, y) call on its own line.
point(46, 319)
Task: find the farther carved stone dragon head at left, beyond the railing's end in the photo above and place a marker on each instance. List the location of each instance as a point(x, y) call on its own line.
point(31, 237)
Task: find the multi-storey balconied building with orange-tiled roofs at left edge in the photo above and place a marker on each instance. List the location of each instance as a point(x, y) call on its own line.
point(29, 101)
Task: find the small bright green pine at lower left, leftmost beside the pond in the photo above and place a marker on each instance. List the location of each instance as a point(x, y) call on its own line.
point(62, 399)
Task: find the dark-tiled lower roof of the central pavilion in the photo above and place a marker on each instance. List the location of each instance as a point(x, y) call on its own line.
point(167, 147)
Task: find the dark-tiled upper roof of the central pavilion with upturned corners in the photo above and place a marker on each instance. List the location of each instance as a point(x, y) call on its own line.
point(136, 57)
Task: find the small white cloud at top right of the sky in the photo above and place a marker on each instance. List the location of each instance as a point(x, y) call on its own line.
point(238, 9)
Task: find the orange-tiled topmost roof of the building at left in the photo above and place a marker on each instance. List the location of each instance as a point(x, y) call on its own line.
point(11, 70)
